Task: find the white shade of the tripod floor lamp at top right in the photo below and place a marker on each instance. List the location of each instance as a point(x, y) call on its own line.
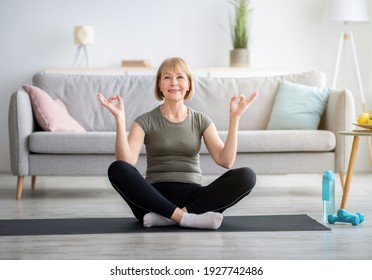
point(347, 10)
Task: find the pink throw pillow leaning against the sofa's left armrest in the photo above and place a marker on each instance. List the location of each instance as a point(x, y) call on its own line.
point(51, 115)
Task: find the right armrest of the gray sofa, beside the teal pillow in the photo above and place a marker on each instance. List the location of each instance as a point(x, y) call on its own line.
point(339, 116)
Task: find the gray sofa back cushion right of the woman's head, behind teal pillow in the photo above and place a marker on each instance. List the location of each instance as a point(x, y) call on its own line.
point(212, 96)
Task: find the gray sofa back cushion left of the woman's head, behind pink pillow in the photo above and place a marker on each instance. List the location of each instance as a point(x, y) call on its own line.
point(137, 93)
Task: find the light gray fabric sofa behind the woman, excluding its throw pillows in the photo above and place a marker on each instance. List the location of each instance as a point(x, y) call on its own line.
point(36, 153)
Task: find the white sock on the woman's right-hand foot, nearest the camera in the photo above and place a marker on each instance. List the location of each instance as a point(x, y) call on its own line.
point(208, 220)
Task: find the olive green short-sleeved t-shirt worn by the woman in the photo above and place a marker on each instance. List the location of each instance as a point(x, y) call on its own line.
point(173, 148)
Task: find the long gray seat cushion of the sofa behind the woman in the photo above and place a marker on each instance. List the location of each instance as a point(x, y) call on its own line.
point(264, 141)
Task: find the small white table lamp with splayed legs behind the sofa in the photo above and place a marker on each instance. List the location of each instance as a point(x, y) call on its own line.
point(83, 36)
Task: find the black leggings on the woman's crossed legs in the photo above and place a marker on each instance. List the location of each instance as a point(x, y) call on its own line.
point(164, 197)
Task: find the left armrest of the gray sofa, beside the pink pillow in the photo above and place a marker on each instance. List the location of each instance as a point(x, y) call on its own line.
point(20, 124)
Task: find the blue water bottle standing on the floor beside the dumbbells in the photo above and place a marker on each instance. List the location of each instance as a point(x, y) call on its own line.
point(328, 194)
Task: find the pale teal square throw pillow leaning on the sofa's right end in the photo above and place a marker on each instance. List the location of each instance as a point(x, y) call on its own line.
point(298, 106)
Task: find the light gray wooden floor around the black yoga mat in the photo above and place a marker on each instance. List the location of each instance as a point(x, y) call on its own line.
point(67, 197)
